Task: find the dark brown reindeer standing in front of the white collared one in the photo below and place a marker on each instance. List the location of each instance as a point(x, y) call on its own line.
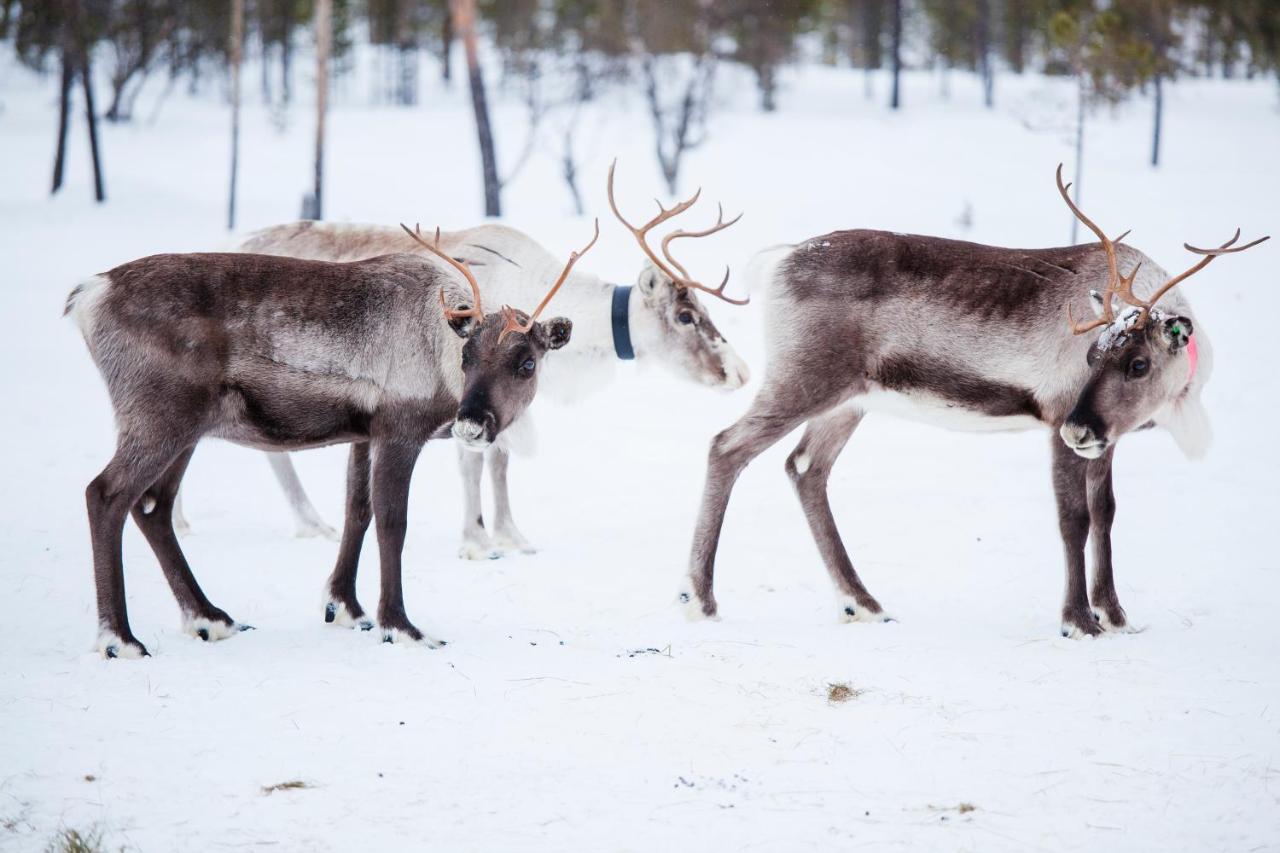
point(282, 354)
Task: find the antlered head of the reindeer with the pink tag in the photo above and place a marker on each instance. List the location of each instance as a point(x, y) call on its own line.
point(1146, 357)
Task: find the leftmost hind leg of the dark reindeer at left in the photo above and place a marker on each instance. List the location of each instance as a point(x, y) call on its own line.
point(139, 462)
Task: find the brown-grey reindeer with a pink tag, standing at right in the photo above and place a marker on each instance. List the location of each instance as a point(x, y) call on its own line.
point(968, 336)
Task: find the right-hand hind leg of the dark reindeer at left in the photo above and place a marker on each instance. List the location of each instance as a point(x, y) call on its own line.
point(154, 517)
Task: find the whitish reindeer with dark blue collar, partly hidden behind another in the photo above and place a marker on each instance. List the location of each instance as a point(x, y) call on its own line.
point(660, 320)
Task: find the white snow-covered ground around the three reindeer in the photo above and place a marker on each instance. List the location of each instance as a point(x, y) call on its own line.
point(575, 709)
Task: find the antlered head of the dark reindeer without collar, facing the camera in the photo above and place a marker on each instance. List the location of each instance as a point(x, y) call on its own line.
point(501, 355)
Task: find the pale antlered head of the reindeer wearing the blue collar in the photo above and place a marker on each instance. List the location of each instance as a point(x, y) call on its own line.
point(671, 325)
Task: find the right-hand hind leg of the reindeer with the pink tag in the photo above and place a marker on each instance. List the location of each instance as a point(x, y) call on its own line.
point(810, 468)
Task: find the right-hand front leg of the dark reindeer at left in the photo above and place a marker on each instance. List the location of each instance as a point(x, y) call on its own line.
point(394, 469)
